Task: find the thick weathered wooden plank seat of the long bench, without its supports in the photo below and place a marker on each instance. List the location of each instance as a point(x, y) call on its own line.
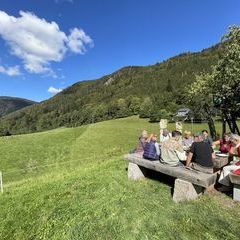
point(201, 179)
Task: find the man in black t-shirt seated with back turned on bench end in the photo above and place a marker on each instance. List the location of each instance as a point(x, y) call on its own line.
point(200, 156)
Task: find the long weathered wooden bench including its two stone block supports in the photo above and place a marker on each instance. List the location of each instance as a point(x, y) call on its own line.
point(189, 184)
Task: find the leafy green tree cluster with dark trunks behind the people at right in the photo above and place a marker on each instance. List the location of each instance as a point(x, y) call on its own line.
point(222, 86)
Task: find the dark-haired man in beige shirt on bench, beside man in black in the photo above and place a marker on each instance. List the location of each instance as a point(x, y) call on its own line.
point(172, 152)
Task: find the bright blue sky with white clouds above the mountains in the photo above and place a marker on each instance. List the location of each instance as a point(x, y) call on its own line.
point(48, 45)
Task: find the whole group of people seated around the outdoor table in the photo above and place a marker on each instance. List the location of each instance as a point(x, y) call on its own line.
point(193, 152)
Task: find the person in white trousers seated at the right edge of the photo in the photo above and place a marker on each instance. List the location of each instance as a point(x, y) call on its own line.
point(234, 151)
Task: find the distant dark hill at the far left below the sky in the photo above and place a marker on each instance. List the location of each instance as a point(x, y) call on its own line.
point(11, 104)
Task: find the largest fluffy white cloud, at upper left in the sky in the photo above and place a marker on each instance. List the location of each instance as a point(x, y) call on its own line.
point(38, 42)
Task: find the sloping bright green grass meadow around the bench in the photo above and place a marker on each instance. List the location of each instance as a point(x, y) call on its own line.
point(71, 183)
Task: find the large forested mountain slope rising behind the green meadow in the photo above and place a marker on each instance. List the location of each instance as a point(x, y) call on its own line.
point(145, 90)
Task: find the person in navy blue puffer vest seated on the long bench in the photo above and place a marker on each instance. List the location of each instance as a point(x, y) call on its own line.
point(151, 149)
